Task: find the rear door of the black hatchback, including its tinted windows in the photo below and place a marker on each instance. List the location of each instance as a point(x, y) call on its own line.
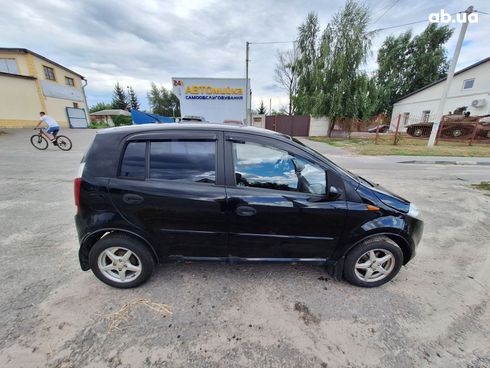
point(176, 192)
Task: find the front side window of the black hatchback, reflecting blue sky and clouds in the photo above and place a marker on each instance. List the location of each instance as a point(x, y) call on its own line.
point(262, 166)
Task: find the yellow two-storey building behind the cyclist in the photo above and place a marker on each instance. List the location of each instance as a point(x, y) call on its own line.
point(30, 83)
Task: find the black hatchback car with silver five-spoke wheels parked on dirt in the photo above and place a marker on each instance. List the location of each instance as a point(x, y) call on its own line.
point(195, 192)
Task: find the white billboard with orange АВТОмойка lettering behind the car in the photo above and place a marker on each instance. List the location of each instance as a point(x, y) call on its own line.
point(215, 99)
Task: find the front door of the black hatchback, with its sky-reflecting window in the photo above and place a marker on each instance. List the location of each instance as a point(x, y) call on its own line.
point(273, 212)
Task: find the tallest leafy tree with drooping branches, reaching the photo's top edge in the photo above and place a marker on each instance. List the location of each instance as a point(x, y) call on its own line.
point(341, 85)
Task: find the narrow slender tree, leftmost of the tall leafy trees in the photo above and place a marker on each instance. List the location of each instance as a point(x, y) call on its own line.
point(305, 64)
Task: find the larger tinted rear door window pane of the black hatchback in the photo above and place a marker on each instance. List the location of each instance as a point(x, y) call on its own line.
point(181, 160)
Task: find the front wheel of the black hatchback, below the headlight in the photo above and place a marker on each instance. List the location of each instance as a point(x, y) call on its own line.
point(379, 246)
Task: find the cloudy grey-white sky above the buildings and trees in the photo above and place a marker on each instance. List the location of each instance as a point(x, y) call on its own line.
point(136, 42)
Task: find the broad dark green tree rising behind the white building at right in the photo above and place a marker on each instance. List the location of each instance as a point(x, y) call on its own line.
point(408, 63)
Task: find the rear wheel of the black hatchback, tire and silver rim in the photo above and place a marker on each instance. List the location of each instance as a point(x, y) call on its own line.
point(141, 256)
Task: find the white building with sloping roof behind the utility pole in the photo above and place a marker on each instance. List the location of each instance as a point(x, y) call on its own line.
point(470, 87)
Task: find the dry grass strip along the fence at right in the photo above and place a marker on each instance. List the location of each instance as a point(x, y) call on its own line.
point(406, 147)
